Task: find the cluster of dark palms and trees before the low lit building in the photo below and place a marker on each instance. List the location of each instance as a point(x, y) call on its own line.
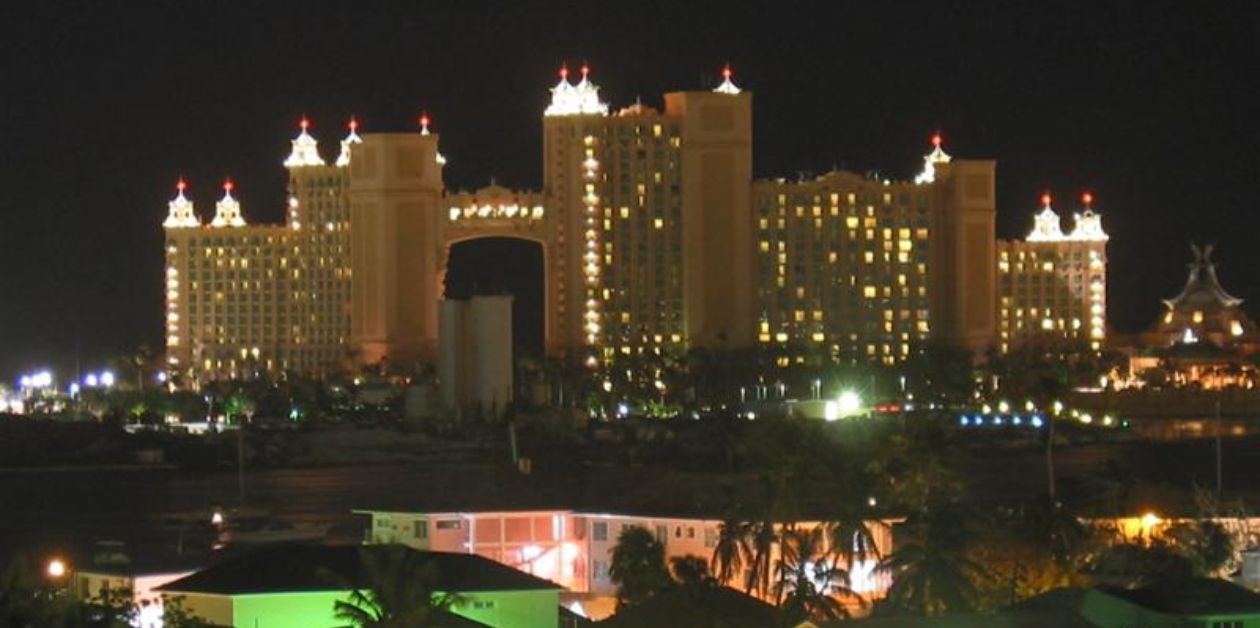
point(951, 553)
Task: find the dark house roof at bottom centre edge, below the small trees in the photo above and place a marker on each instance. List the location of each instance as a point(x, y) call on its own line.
point(718, 606)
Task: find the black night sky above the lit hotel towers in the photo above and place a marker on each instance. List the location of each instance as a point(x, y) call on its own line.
point(1151, 105)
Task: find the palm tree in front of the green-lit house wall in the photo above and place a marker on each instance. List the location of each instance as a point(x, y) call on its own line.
point(400, 592)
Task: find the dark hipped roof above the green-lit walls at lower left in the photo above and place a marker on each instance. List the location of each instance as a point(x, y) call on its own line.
point(322, 568)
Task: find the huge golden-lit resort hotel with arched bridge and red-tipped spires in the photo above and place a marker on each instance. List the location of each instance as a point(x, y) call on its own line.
point(656, 239)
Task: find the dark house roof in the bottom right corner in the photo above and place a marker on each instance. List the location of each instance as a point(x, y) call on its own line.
point(1194, 597)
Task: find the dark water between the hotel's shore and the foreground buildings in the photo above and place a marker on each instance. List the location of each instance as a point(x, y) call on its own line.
point(46, 511)
